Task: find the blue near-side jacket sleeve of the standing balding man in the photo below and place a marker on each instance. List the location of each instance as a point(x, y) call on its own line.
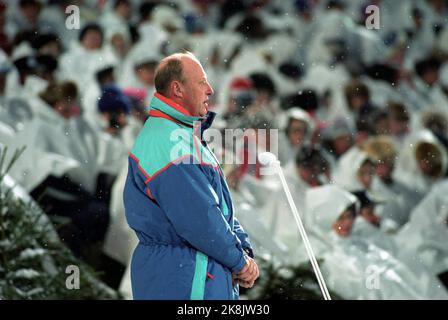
point(190, 203)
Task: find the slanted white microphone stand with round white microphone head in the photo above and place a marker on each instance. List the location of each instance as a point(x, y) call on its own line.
point(269, 159)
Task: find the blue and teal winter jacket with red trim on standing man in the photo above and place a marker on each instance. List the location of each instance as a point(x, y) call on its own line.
point(178, 203)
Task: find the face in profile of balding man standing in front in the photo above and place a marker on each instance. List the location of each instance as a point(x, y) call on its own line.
point(197, 89)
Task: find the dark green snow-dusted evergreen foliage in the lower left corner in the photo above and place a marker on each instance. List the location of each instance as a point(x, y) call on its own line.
point(33, 261)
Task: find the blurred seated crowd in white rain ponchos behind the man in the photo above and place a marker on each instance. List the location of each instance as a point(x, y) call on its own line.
point(361, 114)
